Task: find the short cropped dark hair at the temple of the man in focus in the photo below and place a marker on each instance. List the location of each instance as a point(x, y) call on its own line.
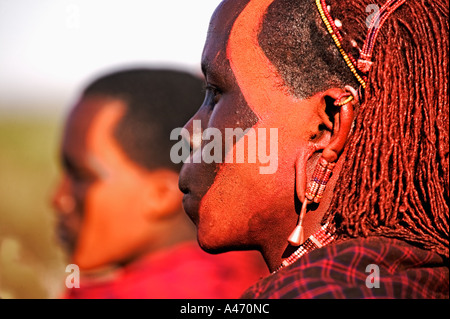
point(294, 39)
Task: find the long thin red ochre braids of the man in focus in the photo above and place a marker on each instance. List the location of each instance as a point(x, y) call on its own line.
point(395, 178)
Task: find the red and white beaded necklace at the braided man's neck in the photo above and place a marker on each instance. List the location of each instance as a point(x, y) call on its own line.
point(320, 238)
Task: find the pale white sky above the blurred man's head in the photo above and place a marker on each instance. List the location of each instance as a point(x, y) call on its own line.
point(50, 49)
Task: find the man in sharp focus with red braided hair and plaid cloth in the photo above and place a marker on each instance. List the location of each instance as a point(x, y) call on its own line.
point(358, 93)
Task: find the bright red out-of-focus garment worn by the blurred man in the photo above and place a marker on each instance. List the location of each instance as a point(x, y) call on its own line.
point(184, 271)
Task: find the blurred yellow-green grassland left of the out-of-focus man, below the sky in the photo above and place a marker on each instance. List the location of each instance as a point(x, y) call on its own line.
point(32, 265)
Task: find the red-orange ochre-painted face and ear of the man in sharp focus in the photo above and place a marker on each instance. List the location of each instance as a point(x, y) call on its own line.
point(233, 205)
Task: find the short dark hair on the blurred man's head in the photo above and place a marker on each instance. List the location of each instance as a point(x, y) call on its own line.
point(158, 100)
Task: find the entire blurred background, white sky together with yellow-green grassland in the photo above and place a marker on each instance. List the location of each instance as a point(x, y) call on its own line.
point(49, 50)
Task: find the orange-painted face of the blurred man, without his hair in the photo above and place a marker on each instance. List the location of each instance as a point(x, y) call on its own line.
point(104, 199)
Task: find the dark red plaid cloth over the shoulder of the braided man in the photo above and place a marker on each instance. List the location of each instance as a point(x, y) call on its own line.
point(339, 271)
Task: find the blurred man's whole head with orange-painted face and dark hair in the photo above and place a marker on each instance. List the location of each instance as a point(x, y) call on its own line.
point(118, 197)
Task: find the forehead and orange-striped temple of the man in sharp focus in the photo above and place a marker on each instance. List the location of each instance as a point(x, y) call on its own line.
point(233, 55)
